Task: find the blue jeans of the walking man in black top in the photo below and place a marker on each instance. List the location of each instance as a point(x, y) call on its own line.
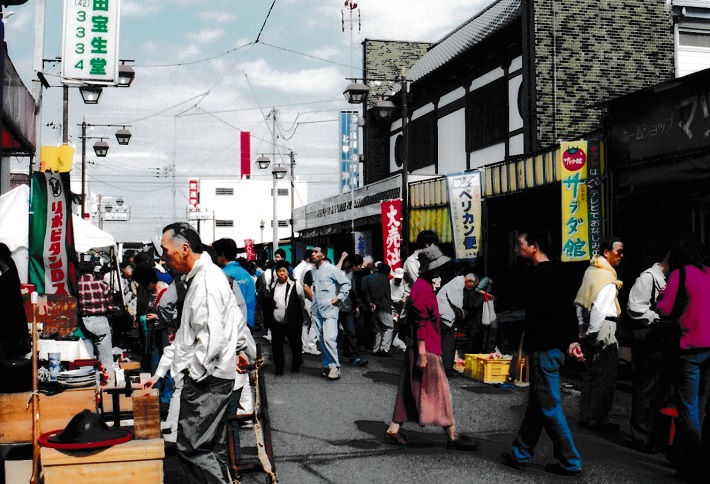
point(544, 411)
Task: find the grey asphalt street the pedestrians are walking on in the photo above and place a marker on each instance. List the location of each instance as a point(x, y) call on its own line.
point(331, 432)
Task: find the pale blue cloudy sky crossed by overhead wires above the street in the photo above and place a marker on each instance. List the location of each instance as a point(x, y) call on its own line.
point(201, 79)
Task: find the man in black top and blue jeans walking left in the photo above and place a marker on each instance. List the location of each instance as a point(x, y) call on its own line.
point(546, 337)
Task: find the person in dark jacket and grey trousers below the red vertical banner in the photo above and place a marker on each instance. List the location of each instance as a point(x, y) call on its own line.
point(378, 296)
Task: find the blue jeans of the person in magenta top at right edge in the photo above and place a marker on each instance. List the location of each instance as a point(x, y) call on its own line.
point(692, 392)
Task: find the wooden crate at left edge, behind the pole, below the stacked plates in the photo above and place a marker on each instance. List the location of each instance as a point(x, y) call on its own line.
point(55, 412)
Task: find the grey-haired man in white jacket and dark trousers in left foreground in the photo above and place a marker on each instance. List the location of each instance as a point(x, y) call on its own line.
point(211, 332)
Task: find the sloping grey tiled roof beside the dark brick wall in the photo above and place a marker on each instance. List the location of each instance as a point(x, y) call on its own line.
point(490, 20)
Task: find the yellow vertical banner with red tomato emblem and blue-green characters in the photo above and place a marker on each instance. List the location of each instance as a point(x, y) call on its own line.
point(572, 163)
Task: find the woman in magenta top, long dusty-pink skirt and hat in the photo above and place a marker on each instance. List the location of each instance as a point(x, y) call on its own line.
point(424, 395)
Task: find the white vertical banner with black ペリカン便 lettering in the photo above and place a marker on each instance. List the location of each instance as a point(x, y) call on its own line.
point(465, 205)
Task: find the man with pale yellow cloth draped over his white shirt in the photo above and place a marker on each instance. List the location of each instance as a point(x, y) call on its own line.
point(598, 313)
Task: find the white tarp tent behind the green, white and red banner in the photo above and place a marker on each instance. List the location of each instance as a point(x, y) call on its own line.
point(14, 229)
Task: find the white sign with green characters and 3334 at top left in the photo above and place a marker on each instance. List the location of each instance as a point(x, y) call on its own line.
point(90, 41)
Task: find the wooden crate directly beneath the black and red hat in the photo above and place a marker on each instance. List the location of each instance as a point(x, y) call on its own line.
point(135, 461)
